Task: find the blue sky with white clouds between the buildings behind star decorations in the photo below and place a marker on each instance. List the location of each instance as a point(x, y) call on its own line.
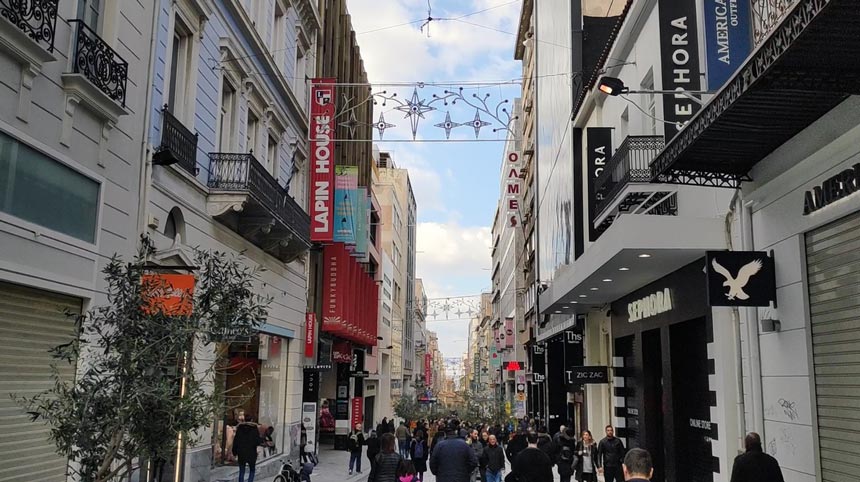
point(456, 184)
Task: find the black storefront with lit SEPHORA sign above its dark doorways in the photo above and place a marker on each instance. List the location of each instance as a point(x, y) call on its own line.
point(661, 335)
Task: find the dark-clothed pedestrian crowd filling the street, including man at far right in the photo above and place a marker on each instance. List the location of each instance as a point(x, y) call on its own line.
point(456, 451)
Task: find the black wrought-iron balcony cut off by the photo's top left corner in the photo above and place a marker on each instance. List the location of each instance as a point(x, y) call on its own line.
point(29, 30)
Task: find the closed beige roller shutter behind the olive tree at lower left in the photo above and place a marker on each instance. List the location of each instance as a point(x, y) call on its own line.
point(31, 322)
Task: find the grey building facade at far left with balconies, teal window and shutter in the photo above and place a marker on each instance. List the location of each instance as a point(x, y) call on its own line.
point(74, 102)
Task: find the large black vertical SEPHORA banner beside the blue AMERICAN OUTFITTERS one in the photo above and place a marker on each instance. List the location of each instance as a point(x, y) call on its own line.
point(679, 53)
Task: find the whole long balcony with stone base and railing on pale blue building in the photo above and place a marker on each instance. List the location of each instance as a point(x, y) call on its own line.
point(248, 200)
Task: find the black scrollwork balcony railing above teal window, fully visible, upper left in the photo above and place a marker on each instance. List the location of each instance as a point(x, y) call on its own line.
point(100, 64)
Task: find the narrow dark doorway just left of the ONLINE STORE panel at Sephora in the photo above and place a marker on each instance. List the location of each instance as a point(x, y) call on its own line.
point(652, 400)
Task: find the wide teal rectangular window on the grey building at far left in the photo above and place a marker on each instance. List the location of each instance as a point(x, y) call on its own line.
point(41, 190)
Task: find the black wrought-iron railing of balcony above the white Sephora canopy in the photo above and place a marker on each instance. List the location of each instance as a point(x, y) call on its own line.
point(630, 163)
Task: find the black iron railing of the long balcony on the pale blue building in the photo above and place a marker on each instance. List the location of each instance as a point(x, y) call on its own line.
point(242, 172)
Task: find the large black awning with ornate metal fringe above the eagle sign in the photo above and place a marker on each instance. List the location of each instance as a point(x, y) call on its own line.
point(804, 69)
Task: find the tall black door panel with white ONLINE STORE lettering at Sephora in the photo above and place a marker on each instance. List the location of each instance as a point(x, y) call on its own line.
point(691, 401)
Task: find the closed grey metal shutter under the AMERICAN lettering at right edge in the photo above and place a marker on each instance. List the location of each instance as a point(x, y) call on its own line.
point(833, 262)
